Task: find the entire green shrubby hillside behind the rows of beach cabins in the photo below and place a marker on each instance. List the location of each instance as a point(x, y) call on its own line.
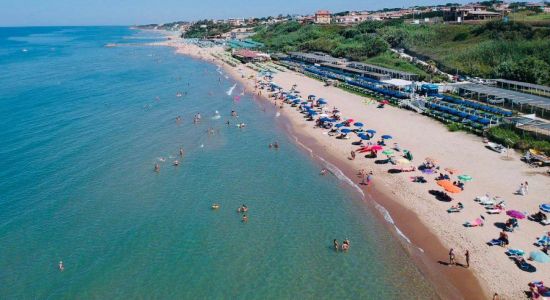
point(511, 50)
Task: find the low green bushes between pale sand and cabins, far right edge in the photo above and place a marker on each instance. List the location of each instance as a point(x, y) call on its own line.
point(518, 140)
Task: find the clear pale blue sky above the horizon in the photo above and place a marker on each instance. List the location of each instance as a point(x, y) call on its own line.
point(134, 12)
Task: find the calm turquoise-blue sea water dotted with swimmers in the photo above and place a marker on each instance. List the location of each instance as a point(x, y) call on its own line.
point(80, 130)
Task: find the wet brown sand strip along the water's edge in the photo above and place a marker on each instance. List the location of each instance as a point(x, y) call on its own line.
point(453, 285)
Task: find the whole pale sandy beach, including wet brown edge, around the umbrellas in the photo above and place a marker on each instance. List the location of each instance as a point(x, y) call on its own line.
point(418, 215)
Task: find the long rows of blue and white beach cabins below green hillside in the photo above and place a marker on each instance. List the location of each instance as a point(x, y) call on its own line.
point(475, 107)
